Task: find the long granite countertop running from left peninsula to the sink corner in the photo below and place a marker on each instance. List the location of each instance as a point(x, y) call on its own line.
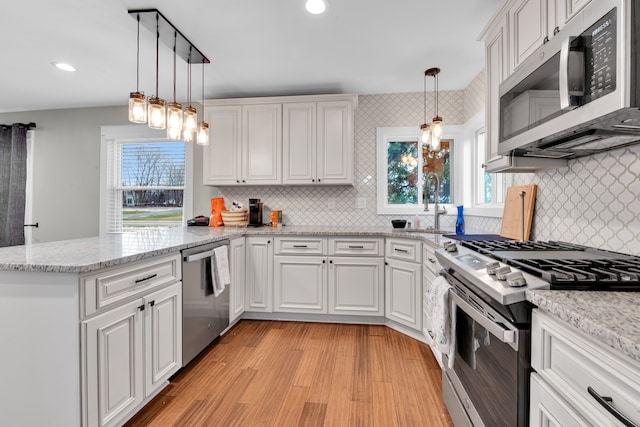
point(93, 253)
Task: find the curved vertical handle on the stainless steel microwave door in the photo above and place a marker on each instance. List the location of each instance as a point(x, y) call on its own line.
point(571, 75)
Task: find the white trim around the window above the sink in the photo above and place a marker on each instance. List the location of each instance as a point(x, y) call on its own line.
point(411, 133)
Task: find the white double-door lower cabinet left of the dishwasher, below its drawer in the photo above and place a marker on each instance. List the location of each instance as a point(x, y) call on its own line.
point(131, 351)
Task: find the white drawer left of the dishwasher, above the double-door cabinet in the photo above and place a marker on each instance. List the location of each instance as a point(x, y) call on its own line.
point(112, 285)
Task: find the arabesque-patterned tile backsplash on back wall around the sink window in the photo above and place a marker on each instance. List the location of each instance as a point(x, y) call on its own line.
point(324, 206)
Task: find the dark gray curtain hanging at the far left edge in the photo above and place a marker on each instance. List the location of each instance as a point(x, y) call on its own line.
point(13, 176)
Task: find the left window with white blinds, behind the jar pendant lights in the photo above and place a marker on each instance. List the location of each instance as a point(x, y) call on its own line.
point(144, 184)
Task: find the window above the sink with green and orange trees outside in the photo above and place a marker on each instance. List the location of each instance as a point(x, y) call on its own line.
point(403, 166)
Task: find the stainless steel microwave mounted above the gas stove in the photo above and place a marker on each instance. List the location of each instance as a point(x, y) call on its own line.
point(578, 94)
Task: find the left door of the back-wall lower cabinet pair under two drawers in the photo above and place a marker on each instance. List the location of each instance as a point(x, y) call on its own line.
point(300, 284)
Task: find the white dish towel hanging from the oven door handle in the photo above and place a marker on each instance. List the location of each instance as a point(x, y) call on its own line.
point(438, 306)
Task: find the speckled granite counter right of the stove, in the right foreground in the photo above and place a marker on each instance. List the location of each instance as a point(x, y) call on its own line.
point(612, 317)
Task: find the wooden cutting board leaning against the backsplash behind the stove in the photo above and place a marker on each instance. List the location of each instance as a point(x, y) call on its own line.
point(512, 214)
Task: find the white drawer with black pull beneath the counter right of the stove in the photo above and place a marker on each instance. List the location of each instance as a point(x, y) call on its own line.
point(572, 361)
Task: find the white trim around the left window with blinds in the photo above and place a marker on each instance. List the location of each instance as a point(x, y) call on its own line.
point(137, 133)
